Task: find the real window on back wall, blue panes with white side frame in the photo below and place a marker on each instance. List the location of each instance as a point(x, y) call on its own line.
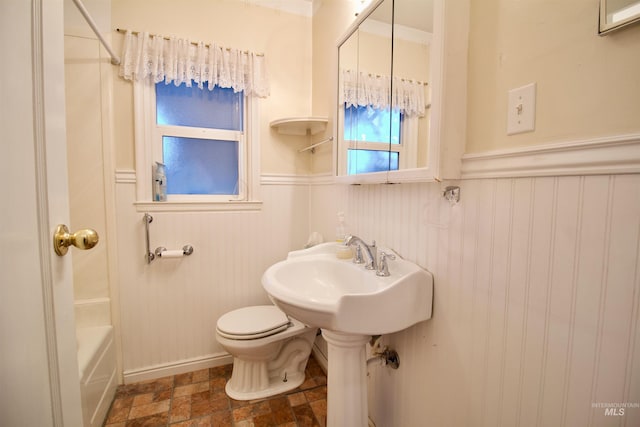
point(203, 137)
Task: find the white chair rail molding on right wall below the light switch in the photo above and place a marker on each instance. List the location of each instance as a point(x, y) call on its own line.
point(618, 154)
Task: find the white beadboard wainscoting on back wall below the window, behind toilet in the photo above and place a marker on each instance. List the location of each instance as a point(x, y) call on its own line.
point(169, 308)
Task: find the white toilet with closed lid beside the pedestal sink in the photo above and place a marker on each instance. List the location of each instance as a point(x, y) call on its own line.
point(269, 349)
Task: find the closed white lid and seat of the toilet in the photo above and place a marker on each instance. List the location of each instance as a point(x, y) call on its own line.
point(252, 322)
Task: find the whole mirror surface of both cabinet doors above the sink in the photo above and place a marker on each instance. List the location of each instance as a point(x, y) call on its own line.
point(384, 70)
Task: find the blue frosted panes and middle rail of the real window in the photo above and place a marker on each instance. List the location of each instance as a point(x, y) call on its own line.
point(210, 163)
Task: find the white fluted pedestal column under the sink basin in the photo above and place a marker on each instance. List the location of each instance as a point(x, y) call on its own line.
point(346, 379)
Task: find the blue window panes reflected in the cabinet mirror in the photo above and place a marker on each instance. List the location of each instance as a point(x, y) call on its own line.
point(374, 139)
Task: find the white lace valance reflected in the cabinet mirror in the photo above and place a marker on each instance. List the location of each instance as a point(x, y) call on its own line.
point(363, 89)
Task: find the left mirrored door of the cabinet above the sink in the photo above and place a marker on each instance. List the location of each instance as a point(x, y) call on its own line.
point(366, 125)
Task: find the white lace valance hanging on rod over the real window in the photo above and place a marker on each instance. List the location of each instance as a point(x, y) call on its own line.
point(180, 61)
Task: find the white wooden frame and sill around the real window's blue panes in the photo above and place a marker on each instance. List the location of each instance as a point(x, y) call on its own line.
point(148, 150)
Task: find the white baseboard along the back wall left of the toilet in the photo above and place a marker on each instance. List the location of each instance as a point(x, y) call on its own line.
point(179, 367)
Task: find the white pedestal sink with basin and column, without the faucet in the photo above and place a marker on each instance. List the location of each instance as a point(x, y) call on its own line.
point(349, 304)
